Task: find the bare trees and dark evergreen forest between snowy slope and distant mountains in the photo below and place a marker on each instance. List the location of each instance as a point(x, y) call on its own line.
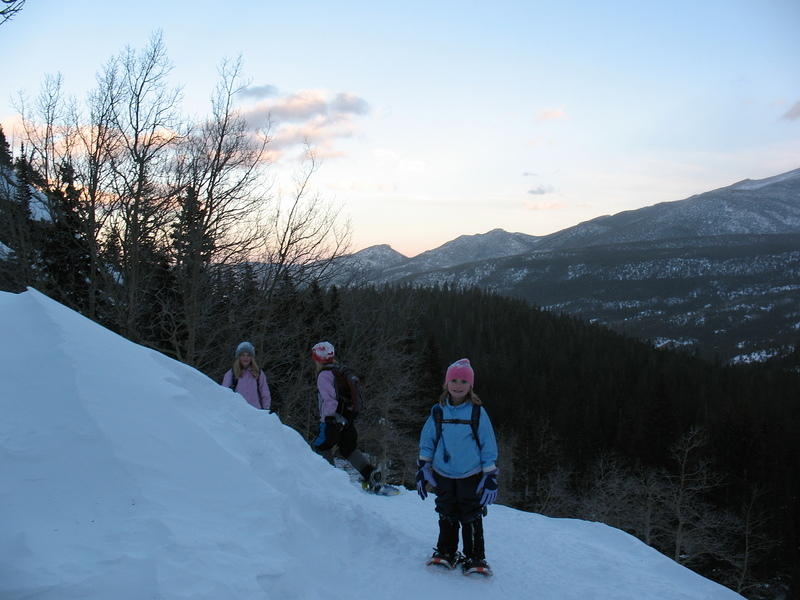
point(696, 459)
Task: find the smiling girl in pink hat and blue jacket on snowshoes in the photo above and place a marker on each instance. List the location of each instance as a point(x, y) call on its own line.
point(457, 460)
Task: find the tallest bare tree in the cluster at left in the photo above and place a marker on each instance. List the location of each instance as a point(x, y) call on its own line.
point(147, 122)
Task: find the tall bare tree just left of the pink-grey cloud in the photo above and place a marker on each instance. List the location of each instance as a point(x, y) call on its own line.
point(221, 174)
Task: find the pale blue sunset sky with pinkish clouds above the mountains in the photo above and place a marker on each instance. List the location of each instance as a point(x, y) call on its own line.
point(434, 120)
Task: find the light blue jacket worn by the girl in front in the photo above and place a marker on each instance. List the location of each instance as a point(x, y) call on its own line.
point(465, 457)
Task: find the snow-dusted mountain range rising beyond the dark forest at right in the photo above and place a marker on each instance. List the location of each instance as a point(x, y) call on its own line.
point(718, 271)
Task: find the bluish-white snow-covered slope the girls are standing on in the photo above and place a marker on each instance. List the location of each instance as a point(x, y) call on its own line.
point(128, 475)
